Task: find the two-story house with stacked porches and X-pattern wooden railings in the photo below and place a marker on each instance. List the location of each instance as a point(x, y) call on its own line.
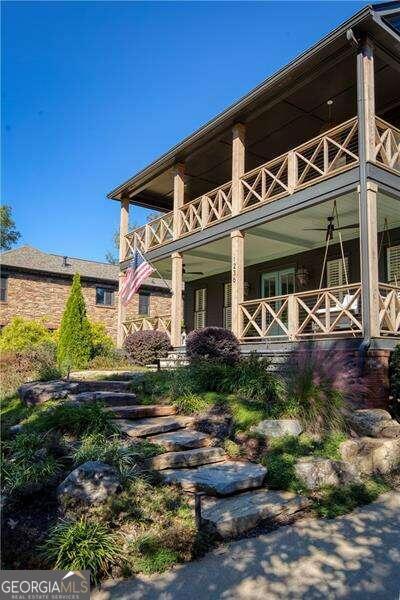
point(282, 214)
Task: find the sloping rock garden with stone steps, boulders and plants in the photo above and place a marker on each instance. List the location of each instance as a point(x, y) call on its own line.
point(138, 474)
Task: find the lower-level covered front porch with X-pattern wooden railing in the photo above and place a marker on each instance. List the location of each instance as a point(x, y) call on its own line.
point(292, 279)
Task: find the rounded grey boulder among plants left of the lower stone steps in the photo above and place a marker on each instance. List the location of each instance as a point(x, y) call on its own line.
point(90, 483)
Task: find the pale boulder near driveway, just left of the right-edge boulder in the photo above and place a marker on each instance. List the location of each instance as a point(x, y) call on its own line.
point(315, 472)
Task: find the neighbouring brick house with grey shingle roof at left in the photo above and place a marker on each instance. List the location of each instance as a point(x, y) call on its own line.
point(35, 285)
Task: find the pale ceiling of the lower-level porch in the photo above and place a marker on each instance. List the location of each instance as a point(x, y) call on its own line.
point(283, 237)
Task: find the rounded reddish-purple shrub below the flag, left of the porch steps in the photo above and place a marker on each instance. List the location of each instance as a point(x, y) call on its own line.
point(146, 347)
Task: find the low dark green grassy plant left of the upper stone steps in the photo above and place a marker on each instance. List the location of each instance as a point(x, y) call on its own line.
point(76, 420)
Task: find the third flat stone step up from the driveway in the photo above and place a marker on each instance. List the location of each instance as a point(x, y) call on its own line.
point(187, 458)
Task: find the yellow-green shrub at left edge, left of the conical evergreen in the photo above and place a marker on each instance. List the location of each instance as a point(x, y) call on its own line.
point(22, 334)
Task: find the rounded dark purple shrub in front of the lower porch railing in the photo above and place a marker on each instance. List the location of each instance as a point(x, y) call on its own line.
point(213, 343)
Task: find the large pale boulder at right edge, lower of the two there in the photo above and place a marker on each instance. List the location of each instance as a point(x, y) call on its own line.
point(372, 455)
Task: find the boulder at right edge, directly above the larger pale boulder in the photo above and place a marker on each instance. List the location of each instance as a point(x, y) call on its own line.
point(374, 422)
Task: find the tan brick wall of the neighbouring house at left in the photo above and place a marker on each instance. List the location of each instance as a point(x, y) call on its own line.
point(44, 297)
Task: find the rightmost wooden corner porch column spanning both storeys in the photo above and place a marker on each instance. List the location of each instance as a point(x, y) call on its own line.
point(367, 191)
